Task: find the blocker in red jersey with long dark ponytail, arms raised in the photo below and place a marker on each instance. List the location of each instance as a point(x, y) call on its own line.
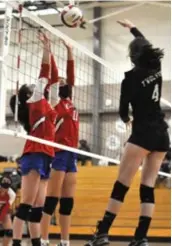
point(38, 118)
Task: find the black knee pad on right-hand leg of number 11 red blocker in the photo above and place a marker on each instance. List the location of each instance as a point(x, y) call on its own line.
point(66, 205)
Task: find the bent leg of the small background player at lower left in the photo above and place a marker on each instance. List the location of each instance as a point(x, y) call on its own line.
point(8, 232)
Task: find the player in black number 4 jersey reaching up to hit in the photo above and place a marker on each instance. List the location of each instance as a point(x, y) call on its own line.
point(149, 140)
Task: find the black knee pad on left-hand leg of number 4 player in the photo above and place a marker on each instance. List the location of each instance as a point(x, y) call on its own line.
point(119, 191)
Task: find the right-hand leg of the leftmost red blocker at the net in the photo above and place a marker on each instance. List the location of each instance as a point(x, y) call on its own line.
point(35, 214)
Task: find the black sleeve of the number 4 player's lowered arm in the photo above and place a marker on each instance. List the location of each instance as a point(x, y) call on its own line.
point(124, 101)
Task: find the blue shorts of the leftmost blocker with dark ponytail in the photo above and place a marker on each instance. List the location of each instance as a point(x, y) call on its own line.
point(36, 161)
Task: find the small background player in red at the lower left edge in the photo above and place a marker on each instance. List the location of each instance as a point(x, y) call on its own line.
point(7, 197)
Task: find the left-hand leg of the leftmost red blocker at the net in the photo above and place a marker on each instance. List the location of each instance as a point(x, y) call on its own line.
point(29, 189)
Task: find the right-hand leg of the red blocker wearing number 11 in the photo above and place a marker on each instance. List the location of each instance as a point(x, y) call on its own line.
point(66, 206)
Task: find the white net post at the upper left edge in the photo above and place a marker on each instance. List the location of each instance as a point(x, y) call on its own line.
point(4, 44)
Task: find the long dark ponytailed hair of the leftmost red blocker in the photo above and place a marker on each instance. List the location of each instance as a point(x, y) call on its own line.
point(23, 110)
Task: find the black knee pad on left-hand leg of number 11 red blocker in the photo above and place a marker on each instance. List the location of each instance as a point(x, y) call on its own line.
point(50, 205)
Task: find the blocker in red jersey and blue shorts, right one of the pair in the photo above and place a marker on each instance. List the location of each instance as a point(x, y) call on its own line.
point(62, 184)
